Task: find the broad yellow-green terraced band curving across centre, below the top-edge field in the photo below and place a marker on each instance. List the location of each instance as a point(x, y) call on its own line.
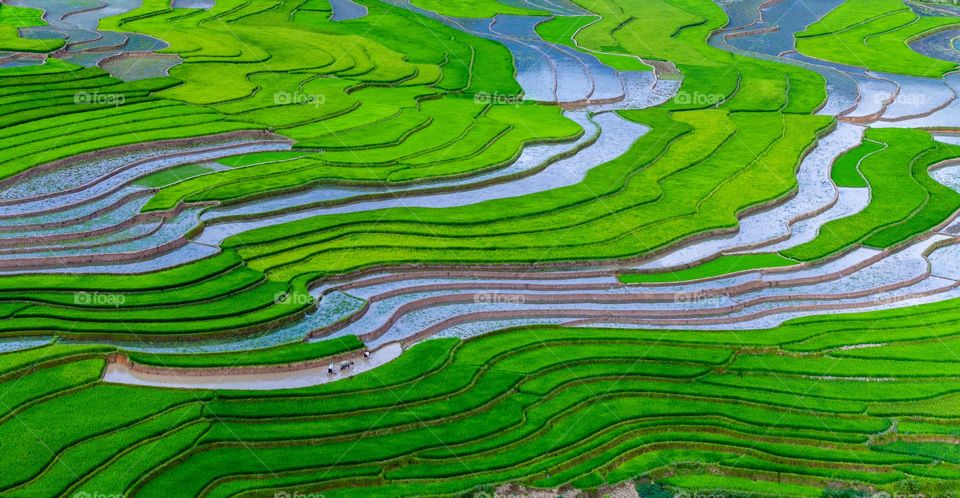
point(694, 196)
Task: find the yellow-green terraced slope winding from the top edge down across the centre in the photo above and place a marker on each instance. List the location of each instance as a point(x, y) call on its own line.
point(664, 213)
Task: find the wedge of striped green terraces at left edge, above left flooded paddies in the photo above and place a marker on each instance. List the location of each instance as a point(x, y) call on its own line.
point(36, 108)
